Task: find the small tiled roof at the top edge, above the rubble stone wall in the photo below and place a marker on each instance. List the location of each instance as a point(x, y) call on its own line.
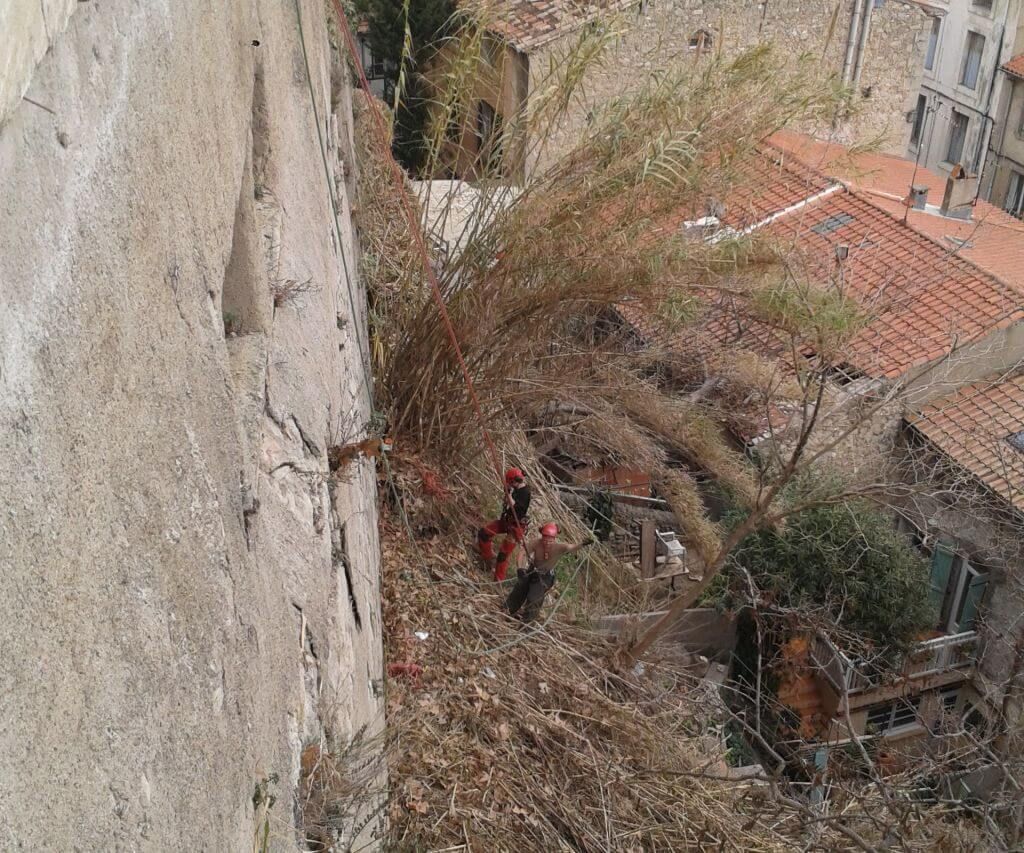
point(528, 25)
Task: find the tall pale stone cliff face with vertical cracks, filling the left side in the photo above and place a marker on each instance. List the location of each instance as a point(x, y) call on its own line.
point(188, 599)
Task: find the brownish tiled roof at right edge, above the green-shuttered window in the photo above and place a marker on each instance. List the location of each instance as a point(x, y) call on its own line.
point(972, 425)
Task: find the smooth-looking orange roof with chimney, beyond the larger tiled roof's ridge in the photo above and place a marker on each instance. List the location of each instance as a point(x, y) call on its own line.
point(993, 239)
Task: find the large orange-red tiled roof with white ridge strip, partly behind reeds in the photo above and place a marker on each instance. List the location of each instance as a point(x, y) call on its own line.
point(922, 298)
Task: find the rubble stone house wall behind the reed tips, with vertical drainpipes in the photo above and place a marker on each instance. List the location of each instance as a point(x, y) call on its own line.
point(657, 36)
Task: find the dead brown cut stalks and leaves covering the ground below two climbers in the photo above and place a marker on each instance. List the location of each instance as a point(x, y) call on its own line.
point(519, 739)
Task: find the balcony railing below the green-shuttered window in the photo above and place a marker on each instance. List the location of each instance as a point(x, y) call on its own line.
point(849, 676)
